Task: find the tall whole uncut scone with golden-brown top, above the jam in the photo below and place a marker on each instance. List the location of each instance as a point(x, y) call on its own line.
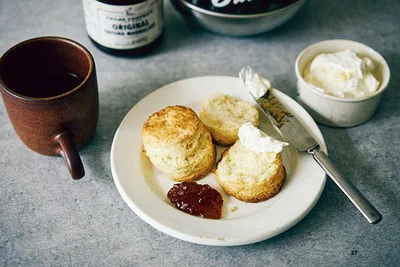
point(178, 144)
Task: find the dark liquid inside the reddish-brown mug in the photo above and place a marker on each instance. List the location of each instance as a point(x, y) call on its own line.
point(50, 84)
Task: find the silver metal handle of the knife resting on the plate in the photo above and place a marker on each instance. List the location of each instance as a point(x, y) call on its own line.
point(355, 196)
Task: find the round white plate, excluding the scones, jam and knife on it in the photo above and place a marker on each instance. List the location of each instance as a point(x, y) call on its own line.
point(145, 189)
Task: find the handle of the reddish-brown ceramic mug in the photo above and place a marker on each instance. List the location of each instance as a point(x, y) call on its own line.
point(70, 155)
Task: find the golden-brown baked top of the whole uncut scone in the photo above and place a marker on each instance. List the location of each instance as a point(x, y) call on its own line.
point(171, 125)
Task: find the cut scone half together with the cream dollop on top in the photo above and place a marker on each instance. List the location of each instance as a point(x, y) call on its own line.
point(252, 169)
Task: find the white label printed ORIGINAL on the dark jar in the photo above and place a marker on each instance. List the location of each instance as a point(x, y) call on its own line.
point(123, 27)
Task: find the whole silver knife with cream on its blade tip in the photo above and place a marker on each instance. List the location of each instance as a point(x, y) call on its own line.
point(262, 92)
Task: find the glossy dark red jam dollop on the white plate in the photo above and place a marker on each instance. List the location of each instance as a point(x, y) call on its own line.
point(196, 199)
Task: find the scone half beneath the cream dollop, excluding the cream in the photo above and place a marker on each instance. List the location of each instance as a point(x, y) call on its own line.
point(250, 176)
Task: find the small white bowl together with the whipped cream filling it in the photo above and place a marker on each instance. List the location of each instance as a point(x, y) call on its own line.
point(340, 82)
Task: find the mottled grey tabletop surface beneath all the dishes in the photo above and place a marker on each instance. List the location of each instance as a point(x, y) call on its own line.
point(47, 219)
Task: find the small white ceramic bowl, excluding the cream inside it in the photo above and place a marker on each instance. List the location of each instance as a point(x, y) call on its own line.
point(332, 110)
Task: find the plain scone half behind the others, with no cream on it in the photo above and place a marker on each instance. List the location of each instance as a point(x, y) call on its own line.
point(223, 115)
